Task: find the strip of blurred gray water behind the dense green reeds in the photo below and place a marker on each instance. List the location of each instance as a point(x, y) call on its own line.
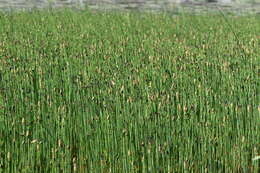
point(194, 6)
